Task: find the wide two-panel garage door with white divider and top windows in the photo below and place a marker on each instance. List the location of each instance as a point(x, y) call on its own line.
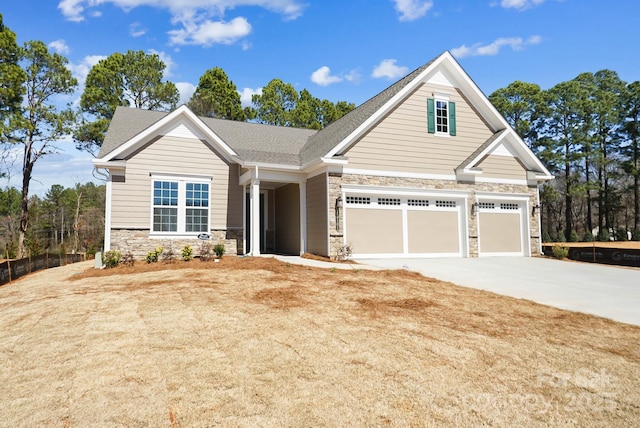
point(381, 226)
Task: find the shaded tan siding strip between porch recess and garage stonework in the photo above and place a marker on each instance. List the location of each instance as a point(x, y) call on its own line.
point(317, 225)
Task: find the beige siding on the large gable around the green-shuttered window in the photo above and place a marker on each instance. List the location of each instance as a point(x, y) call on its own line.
point(400, 142)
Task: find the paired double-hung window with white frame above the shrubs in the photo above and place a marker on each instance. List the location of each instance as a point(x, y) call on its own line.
point(180, 205)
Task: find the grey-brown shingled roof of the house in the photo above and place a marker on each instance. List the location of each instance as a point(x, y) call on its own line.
point(257, 142)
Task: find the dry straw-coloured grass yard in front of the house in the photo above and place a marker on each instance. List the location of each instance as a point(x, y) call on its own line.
point(256, 342)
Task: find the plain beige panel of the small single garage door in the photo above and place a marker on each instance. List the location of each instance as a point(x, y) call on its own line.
point(500, 233)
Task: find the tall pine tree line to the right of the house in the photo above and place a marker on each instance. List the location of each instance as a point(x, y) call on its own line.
point(586, 131)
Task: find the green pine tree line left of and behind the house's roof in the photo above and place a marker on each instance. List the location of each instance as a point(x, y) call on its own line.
point(34, 81)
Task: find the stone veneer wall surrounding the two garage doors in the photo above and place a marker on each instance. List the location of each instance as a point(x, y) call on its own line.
point(336, 181)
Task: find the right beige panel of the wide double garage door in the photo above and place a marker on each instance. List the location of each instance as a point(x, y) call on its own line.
point(433, 231)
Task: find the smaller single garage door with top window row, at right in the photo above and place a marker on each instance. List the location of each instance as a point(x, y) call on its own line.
point(500, 228)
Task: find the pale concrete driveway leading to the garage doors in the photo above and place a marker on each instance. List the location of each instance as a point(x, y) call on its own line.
point(606, 291)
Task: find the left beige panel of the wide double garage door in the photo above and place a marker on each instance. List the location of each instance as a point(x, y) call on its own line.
point(374, 231)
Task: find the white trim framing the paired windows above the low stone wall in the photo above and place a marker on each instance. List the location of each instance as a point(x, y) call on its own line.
point(182, 180)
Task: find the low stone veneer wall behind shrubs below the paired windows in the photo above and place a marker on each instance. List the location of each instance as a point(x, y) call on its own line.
point(138, 242)
